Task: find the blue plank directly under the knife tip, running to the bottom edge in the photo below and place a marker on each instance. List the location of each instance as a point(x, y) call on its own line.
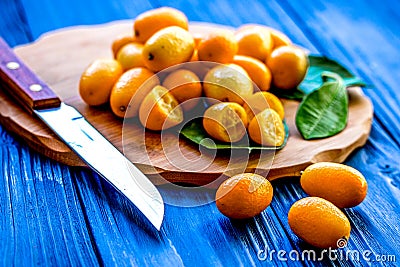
point(121, 234)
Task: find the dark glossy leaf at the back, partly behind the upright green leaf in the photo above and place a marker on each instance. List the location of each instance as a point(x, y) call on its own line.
point(313, 79)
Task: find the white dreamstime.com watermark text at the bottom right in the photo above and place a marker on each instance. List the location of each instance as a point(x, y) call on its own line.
point(340, 254)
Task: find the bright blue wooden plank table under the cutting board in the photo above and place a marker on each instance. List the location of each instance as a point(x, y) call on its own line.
point(53, 214)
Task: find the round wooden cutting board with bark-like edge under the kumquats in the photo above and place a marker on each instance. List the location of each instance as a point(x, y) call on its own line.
point(60, 57)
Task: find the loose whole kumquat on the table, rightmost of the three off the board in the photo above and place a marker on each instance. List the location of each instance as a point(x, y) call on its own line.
point(342, 185)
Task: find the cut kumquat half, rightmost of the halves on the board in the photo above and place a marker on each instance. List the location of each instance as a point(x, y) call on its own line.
point(267, 129)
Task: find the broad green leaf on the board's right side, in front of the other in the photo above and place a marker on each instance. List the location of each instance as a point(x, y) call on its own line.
point(324, 112)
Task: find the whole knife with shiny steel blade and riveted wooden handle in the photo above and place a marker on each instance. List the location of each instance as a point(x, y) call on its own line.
point(95, 150)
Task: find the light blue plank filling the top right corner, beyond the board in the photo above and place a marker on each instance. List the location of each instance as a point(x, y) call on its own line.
point(364, 39)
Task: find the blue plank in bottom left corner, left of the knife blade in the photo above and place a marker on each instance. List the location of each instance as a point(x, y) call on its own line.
point(43, 219)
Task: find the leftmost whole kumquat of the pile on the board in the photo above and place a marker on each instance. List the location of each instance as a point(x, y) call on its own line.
point(97, 81)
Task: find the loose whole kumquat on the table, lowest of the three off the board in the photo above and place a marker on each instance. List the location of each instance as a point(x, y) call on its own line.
point(318, 222)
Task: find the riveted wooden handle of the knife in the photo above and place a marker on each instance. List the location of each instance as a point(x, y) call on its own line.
point(20, 82)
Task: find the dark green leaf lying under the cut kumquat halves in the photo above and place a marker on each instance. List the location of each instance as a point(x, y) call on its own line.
point(195, 132)
